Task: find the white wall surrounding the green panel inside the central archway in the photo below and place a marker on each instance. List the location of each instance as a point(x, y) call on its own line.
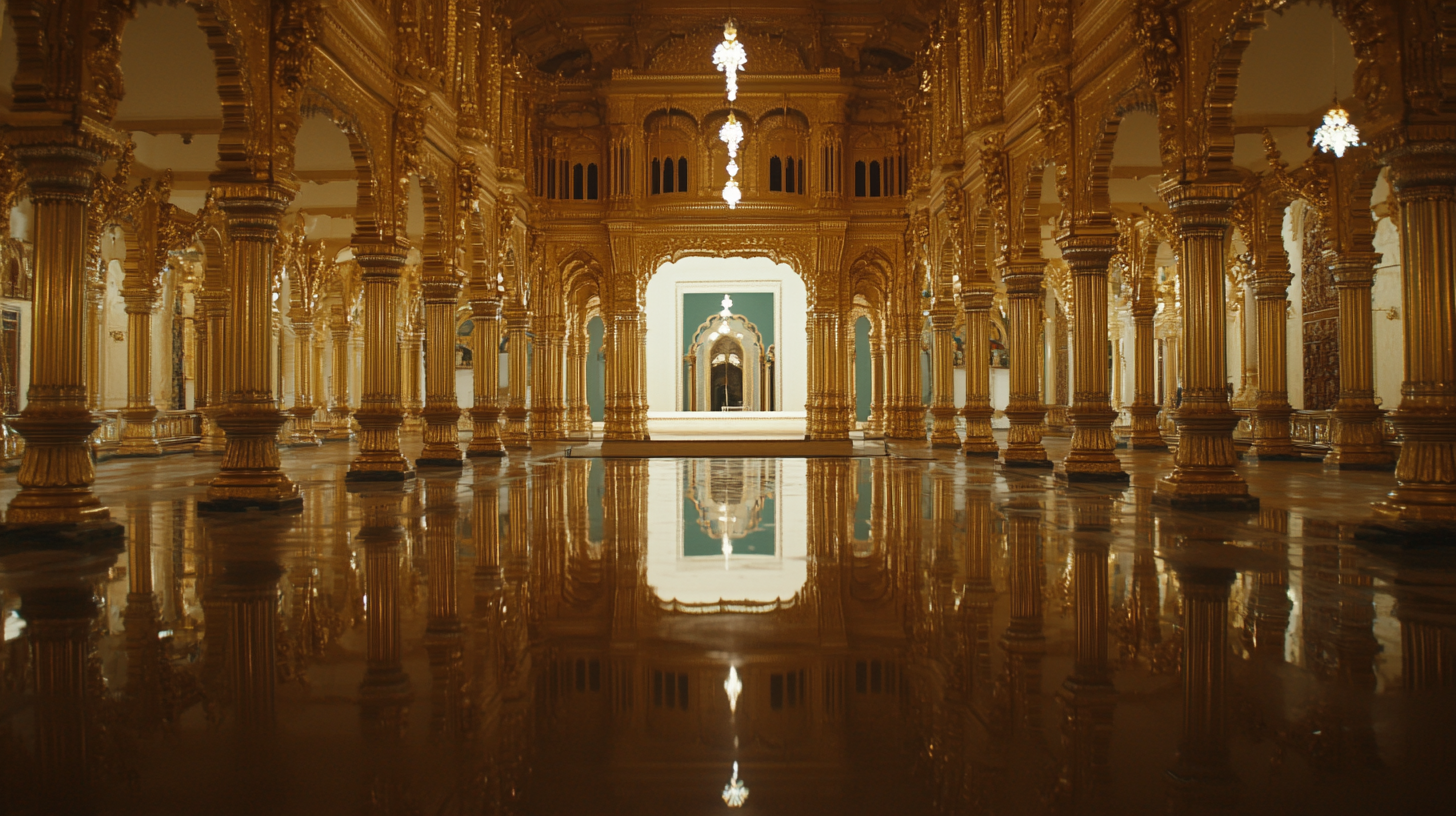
point(665, 323)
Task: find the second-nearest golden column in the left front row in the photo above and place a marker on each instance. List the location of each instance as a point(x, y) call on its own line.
point(251, 476)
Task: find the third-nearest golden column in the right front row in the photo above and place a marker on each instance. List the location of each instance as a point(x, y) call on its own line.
point(1093, 454)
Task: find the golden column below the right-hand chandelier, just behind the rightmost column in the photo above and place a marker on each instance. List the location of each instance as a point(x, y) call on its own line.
point(1356, 429)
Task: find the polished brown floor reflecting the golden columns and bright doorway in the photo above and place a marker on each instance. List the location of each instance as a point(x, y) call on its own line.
point(905, 635)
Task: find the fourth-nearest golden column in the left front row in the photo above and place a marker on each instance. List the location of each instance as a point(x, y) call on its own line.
point(442, 289)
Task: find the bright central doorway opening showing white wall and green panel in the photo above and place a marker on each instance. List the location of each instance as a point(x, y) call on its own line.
point(727, 349)
